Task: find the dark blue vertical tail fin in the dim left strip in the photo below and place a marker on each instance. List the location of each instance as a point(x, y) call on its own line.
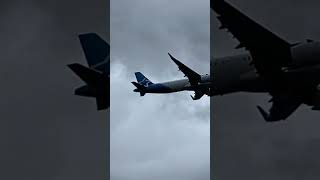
point(96, 50)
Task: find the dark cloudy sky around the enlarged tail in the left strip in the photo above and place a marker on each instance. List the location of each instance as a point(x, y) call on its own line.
point(46, 132)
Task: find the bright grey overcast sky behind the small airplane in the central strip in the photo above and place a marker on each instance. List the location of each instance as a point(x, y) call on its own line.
point(158, 136)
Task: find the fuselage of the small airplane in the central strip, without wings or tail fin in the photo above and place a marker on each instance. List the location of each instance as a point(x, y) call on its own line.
point(178, 85)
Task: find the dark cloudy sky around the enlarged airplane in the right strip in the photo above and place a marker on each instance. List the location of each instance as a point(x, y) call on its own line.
point(243, 143)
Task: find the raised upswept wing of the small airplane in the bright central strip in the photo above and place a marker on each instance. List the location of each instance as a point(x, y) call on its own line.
point(194, 78)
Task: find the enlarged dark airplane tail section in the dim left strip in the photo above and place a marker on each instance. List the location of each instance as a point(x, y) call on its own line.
point(97, 75)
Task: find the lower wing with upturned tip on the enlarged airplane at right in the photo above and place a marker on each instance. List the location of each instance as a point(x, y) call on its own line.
point(281, 108)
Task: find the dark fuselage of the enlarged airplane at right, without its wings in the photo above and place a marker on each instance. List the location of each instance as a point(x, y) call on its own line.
point(235, 74)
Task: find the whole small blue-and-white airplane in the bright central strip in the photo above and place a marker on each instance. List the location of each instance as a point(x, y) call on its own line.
point(194, 82)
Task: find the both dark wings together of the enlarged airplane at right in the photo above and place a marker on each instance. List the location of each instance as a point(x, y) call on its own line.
point(270, 54)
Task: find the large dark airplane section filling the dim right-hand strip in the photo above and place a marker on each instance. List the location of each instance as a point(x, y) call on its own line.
point(288, 72)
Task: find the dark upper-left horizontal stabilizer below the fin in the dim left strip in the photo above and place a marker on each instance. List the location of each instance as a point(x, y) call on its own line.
point(88, 75)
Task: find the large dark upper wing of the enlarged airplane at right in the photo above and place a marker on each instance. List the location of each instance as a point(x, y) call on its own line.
point(269, 52)
